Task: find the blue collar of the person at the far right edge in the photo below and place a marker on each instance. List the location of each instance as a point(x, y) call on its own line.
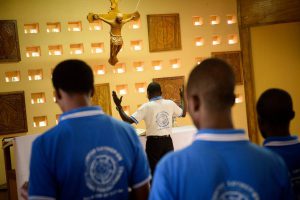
point(281, 141)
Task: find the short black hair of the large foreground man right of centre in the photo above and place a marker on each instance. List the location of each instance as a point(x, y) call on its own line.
point(214, 80)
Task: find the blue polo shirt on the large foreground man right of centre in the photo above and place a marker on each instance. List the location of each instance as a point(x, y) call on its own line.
point(221, 164)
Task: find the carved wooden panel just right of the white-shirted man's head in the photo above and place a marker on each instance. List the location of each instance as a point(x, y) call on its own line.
point(170, 87)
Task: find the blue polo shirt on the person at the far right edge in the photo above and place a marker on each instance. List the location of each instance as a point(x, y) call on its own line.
point(289, 149)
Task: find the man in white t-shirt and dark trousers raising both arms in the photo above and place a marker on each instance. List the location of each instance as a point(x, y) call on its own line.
point(158, 115)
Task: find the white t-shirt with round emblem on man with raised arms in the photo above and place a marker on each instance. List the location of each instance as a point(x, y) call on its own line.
point(158, 114)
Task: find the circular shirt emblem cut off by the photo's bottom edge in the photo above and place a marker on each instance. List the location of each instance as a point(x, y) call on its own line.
point(235, 190)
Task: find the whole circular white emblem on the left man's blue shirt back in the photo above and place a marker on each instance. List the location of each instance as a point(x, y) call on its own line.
point(103, 169)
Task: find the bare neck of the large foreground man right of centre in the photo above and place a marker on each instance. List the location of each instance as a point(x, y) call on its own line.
point(216, 120)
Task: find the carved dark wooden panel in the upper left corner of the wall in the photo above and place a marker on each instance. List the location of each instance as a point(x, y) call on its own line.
point(9, 41)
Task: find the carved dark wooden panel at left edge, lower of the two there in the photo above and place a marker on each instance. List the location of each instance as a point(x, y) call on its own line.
point(12, 113)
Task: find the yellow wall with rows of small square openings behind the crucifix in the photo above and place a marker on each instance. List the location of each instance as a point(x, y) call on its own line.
point(36, 11)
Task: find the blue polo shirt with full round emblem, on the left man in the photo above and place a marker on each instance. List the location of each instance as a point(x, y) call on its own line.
point(88, 155)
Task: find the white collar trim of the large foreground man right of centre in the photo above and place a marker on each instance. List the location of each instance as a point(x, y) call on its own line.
point(220, 137)
